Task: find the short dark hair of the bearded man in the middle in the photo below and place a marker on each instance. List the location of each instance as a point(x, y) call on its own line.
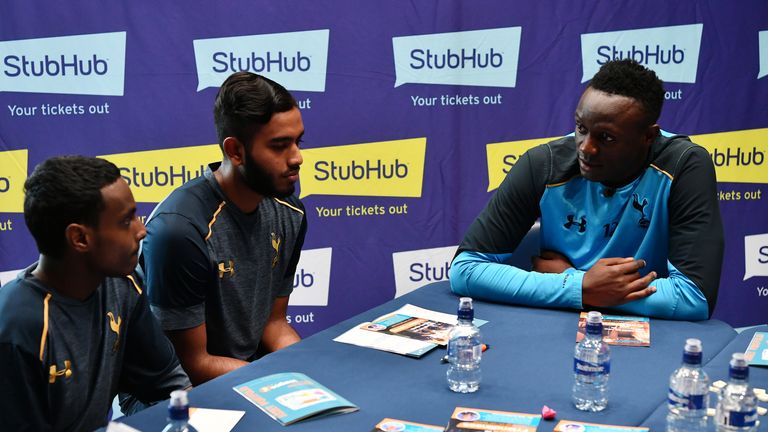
point(245, 103)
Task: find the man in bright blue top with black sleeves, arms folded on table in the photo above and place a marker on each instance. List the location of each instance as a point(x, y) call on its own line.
point(629, 218)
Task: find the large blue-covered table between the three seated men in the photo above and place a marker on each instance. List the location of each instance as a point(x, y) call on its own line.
point(529, 364)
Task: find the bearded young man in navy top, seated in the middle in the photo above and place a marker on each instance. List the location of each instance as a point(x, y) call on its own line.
point(221, 250)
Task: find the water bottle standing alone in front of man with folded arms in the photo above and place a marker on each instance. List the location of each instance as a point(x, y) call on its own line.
point(591, 367)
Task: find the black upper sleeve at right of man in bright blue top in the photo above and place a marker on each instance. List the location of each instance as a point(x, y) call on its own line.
point(696, 239)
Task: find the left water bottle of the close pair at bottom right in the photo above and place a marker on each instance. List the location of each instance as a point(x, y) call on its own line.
point(688, 392)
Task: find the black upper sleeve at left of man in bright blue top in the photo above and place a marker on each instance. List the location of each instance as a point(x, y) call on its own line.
point(514, 207)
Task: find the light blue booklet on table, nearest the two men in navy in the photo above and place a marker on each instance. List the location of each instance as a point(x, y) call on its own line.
point(289, 397)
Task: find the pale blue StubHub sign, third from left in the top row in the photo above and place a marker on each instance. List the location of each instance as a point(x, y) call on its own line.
point(479, 57)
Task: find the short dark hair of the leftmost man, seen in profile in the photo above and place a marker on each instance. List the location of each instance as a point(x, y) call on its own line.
point(61, 191)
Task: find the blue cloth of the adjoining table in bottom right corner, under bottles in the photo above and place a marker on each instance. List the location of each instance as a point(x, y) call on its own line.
point(717, 369)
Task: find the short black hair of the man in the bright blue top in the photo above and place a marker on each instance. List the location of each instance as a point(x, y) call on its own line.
point(629, 78)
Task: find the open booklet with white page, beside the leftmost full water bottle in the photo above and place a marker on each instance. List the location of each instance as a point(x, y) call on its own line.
point(411, 331)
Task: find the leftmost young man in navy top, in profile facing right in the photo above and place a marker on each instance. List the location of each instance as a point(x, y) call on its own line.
point(75, 327)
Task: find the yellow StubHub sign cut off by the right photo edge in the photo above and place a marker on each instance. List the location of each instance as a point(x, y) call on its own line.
point(739, 156)
